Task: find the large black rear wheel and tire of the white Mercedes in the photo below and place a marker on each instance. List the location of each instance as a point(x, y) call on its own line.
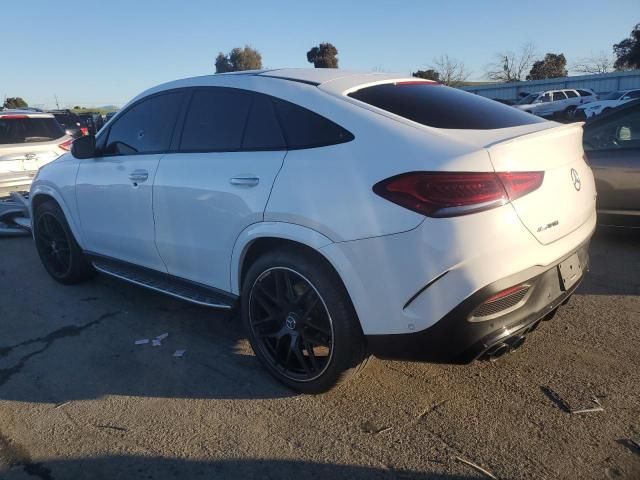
point(311, 303)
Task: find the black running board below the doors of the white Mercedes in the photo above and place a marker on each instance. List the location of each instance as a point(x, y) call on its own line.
point(164, 283)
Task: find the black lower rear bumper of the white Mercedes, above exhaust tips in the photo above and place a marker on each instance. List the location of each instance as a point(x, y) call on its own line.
point(455, 339)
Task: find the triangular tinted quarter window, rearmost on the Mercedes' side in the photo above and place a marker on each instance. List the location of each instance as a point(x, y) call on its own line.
point(305, 129)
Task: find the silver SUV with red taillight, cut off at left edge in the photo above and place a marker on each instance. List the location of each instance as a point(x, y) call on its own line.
point(28, 140)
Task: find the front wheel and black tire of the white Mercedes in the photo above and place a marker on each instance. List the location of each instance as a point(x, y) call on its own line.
point(59, 252)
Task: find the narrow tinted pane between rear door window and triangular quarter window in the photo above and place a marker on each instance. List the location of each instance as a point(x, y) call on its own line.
point(262, 131)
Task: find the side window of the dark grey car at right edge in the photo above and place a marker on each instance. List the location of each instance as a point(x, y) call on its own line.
point(621, 131)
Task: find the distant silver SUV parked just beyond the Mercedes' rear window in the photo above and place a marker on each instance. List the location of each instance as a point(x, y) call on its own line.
point(556, 103)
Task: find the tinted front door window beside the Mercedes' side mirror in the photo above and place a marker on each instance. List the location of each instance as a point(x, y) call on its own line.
point(146, 127)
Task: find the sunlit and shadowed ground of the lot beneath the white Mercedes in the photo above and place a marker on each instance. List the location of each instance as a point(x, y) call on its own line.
point(79, 400)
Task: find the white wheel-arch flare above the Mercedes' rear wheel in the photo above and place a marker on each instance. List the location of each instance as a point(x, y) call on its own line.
point(280, 230)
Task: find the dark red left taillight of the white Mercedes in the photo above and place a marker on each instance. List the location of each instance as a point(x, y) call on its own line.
point(450, 194)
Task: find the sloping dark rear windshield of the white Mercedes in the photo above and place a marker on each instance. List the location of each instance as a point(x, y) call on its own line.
point(438, 106)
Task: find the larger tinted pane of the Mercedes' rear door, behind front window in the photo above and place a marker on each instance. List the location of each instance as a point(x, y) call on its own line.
point(215, 120)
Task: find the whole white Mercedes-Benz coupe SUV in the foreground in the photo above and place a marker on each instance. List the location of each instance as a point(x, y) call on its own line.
point(345, 214)
